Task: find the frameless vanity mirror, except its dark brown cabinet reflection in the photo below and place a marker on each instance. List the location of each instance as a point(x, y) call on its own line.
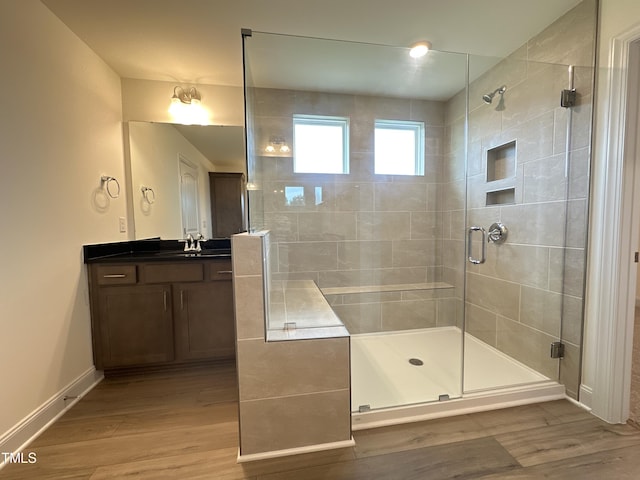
point(164, 201)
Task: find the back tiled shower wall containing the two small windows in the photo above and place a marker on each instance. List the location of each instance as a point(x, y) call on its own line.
point(358, 228)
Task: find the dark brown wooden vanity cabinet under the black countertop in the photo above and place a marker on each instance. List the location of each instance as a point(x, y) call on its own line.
point(150, 313)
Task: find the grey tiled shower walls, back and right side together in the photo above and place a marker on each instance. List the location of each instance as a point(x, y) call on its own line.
point(379, 230)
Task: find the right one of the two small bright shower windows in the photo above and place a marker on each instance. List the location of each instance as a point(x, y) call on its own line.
point(399, 147)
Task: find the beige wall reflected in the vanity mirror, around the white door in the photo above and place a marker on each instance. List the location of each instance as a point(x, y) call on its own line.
point(154, 163)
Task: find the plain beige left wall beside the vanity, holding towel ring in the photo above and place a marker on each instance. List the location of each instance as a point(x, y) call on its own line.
point(60, 130)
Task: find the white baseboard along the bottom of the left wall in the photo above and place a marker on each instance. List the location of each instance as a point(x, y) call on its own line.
point(22, 434)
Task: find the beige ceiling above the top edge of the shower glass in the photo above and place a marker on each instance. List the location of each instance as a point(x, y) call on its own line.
point(199, 41)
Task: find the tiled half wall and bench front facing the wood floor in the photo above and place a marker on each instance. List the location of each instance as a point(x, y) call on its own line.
point(294, 394)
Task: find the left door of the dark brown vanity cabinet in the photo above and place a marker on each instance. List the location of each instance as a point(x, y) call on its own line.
point(136, 325)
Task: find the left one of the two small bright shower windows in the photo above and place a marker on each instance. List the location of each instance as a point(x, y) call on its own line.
point(320, 144)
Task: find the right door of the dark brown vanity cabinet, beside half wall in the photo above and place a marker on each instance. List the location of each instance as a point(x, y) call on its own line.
point(204, 320)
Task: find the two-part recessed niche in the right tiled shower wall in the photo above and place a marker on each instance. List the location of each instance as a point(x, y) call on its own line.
point(501, 165)
